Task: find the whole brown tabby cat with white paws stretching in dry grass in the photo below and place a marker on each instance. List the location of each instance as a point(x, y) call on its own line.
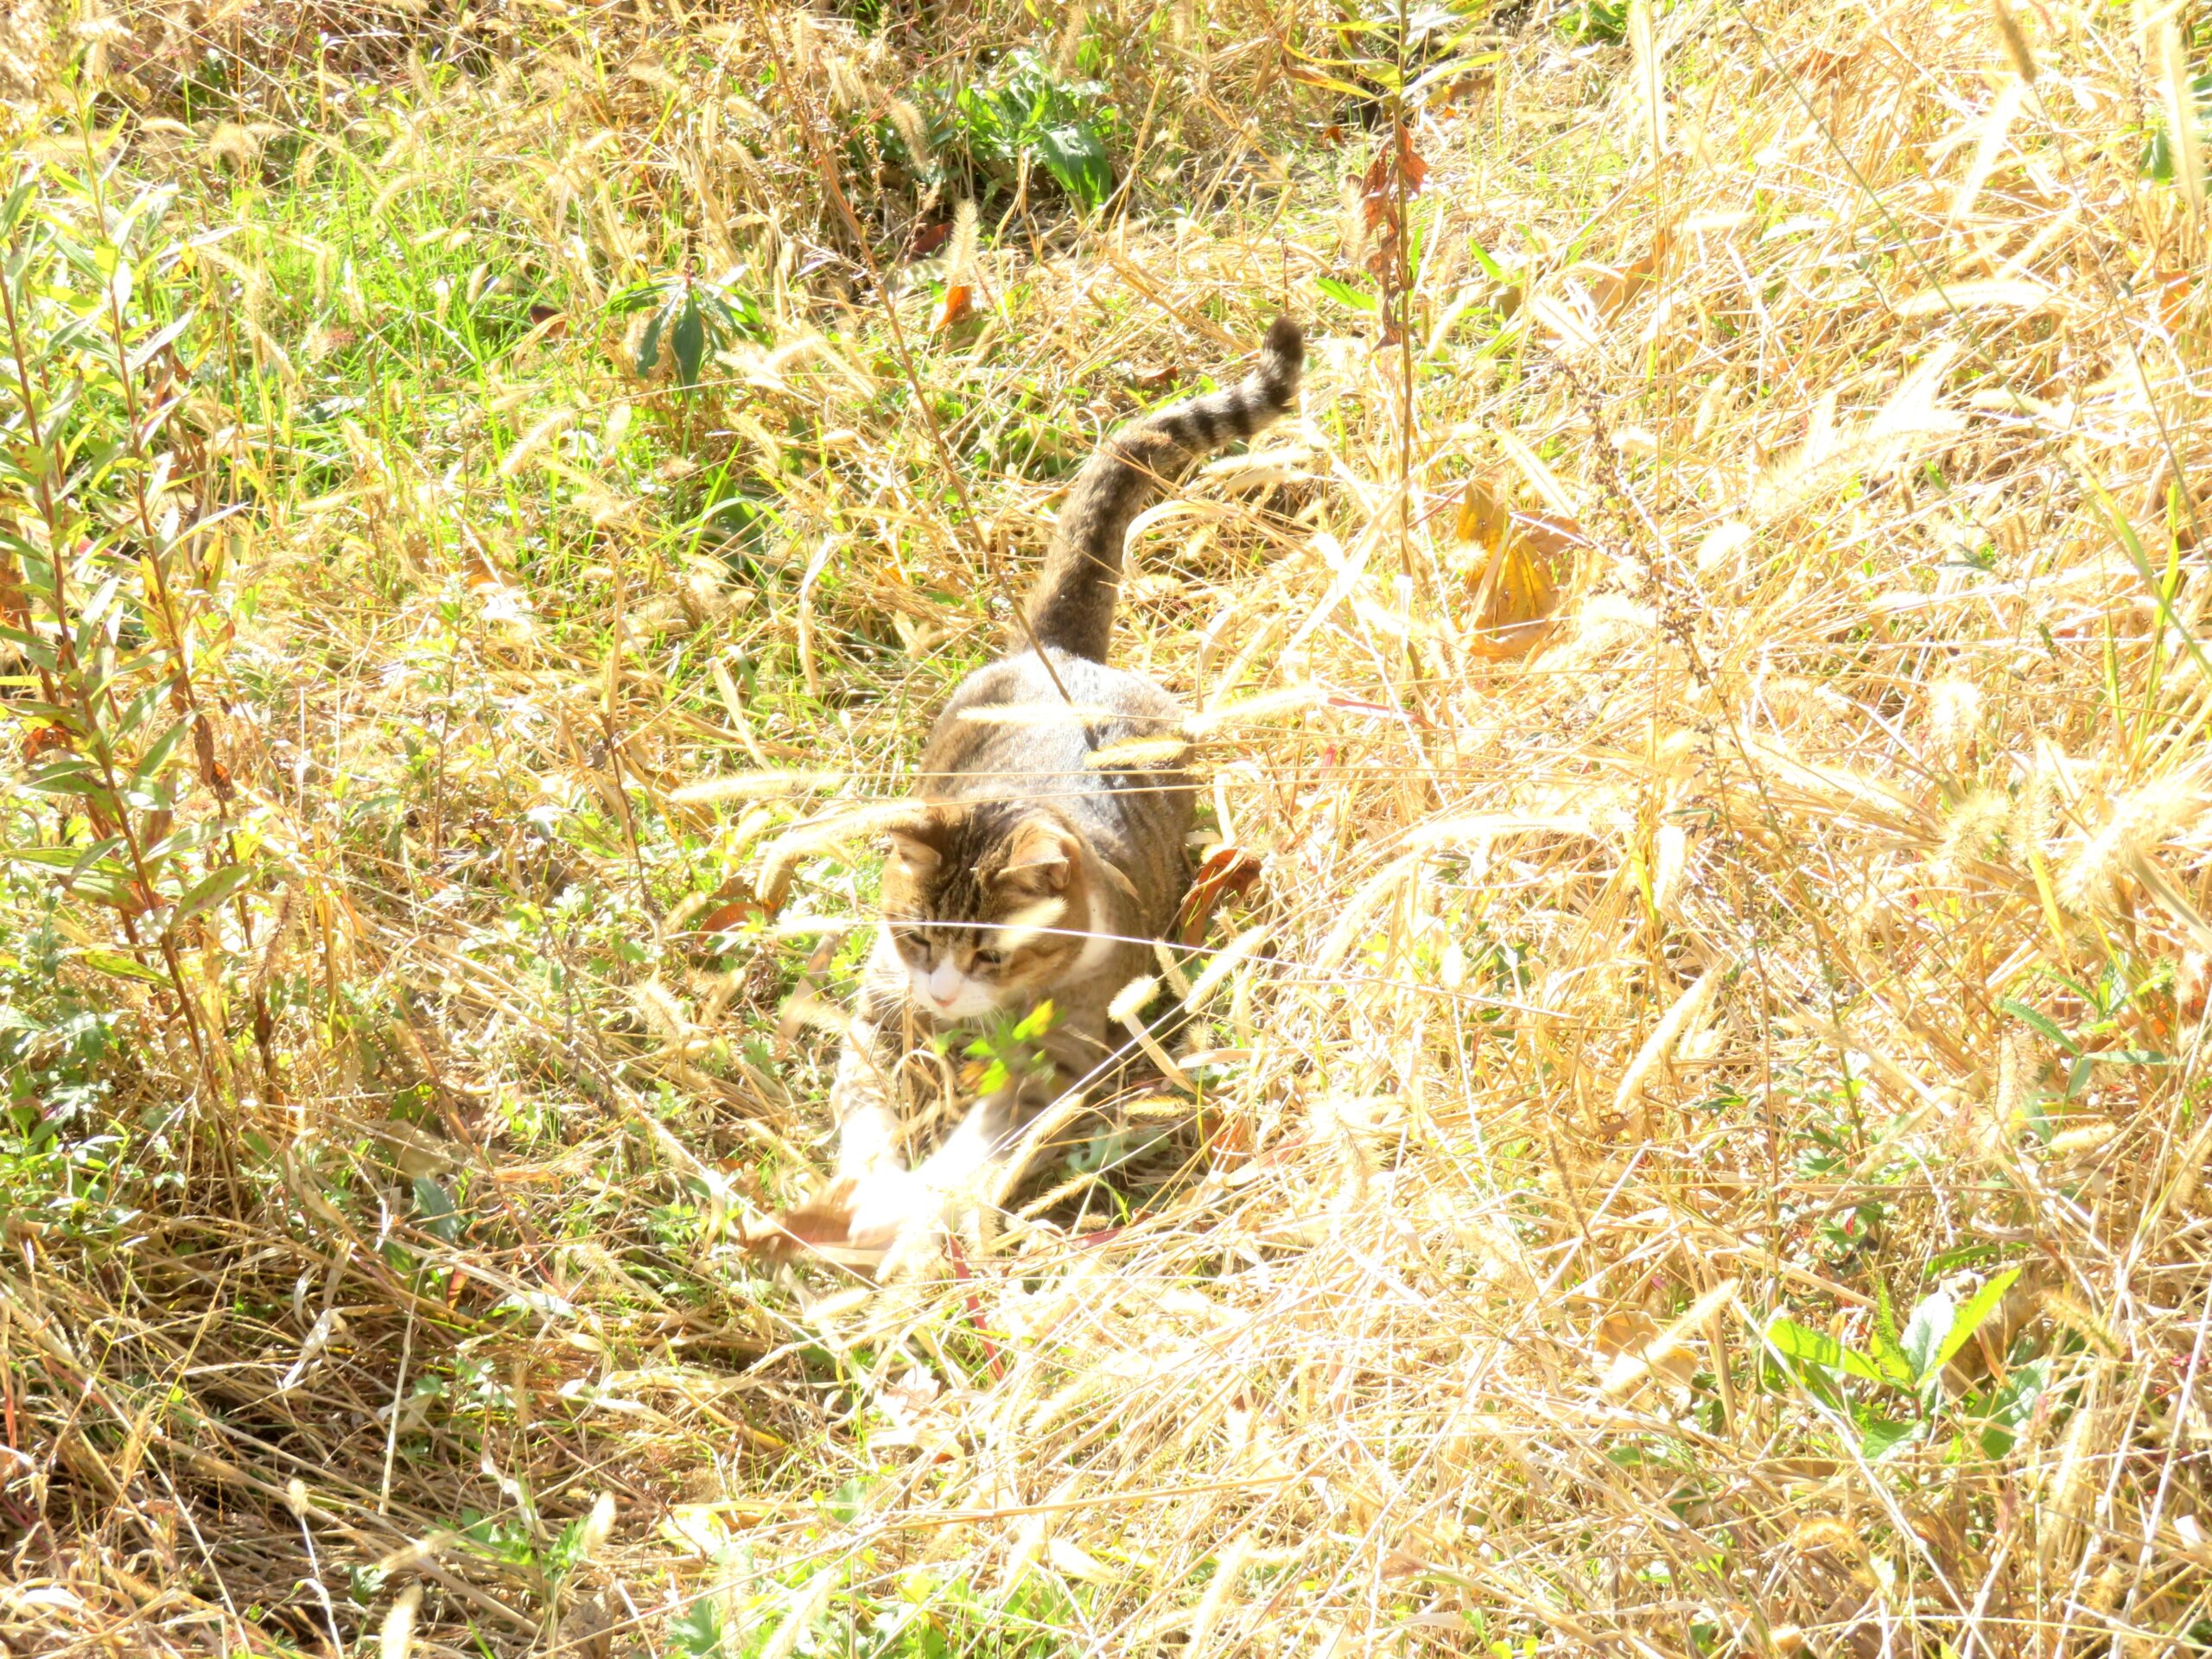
point(1036, 864)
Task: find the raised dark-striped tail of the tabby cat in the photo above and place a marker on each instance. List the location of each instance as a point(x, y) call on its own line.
point(1083, 572)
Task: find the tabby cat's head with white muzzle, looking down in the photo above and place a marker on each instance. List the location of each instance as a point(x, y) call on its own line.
point(985, 904)
